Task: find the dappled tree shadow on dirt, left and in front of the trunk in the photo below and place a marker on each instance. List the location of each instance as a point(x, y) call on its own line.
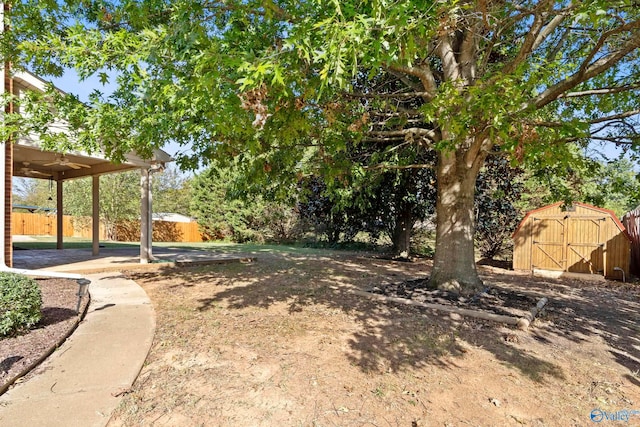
point(390, 337)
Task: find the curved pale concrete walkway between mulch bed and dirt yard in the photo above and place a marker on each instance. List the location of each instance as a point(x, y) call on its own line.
point(80, 383)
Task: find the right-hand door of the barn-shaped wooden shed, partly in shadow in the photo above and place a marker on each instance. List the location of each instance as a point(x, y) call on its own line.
point(584, 250)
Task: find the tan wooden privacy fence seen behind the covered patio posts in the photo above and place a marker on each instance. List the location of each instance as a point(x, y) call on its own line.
point(35, 224)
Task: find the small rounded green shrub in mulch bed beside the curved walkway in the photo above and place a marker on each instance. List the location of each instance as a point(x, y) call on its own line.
point(20, 303)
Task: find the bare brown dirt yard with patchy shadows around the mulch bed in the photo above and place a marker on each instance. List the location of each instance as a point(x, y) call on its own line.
point(282, 342)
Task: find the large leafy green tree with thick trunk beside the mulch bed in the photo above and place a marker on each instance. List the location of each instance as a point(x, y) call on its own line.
point(276, 83)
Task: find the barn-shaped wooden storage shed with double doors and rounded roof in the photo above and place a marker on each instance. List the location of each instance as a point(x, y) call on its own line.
point(579, 239)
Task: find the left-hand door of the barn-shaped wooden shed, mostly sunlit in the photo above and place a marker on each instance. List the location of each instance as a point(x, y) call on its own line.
point(548, 244)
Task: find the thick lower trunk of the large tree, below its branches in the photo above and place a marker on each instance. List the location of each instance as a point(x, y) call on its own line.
point(454, 267)
